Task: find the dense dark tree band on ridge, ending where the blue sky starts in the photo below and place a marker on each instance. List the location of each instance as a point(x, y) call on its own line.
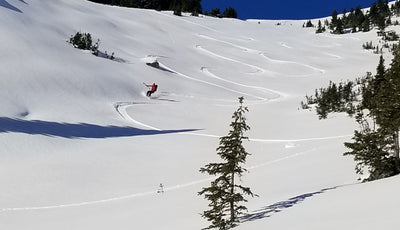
point(178, 6)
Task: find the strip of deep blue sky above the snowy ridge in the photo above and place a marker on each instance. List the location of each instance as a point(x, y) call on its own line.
point(284, 9)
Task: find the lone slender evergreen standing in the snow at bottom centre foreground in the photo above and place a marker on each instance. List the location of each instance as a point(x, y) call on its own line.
point(224, 194)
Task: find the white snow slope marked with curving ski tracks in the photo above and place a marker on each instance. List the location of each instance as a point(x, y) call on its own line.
point(82, 147)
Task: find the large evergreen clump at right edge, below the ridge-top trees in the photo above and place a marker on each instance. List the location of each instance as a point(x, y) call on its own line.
point(374, 102)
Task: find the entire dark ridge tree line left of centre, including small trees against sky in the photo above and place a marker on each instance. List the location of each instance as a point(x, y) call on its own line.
point(178, 6)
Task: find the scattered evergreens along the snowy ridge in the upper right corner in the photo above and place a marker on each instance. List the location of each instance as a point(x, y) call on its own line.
point(379, 15)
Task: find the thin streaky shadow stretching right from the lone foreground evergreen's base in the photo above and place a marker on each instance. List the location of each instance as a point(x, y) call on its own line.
point(268, 211)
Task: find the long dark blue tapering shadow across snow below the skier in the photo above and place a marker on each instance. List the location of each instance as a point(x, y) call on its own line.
point(80, 130)
